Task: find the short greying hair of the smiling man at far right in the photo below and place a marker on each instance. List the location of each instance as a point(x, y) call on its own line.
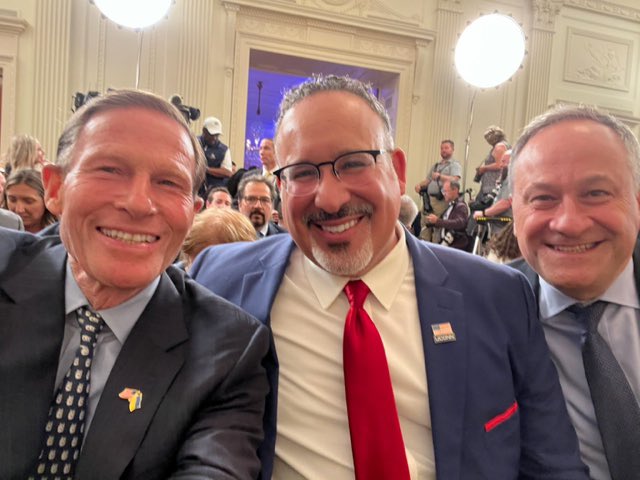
point(565, 113)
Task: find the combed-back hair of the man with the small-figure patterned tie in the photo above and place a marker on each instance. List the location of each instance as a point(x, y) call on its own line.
point(120, 99)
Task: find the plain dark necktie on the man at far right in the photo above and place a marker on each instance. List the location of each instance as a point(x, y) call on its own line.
point(616, 407)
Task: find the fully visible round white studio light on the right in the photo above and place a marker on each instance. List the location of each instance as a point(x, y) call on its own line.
point(490, 50)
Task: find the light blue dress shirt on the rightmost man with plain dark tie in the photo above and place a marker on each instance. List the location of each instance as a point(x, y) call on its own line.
point(620, 328)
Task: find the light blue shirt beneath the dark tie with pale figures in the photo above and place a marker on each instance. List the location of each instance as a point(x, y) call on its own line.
point(118, 320)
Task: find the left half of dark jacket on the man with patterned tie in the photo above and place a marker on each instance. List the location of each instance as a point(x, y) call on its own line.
point(31, 331)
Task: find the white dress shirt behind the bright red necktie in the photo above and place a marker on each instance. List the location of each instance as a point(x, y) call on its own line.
point(313, 430)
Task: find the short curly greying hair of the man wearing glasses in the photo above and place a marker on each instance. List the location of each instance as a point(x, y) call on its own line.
point(333, 83)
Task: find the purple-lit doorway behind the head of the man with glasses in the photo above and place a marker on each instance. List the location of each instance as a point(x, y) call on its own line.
point(271, 74)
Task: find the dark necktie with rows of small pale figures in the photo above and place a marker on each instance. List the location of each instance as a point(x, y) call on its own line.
point(64, 430)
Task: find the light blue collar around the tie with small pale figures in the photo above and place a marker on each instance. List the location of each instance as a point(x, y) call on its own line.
point(121, 318)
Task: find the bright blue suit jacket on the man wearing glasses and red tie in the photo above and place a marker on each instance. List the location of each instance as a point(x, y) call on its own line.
point(499, 357)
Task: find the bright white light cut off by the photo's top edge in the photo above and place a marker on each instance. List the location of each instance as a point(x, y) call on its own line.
point(134, 13)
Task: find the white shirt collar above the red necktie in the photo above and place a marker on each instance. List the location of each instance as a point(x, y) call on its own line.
point(384, 280)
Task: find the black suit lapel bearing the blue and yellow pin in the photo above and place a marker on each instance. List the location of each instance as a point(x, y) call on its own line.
point(149, 360)
